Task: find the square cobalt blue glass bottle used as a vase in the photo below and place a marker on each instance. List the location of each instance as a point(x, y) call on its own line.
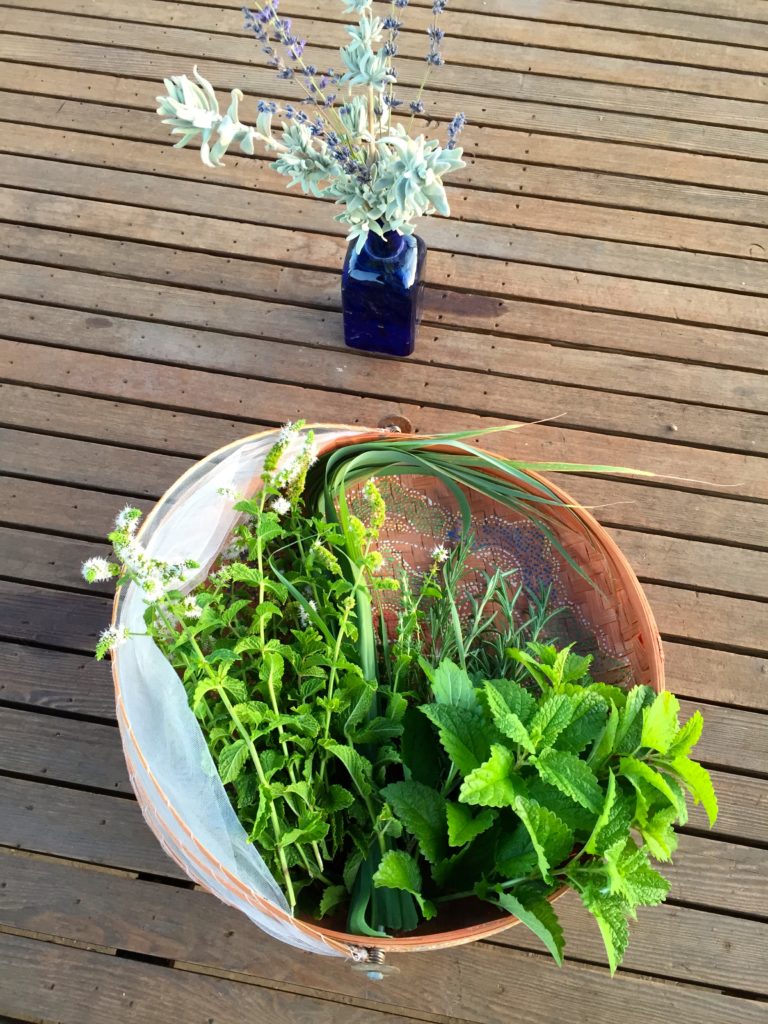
point(382, 290)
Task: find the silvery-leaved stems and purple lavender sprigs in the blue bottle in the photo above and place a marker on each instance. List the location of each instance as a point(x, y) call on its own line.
point(353, 153)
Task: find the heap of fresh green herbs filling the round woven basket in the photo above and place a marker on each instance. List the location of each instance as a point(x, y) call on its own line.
point(389, 769)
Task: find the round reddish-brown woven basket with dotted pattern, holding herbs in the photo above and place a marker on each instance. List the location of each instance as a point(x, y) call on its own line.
point(609, 617)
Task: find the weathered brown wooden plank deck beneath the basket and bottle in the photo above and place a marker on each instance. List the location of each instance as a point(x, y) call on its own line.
point(607, 264)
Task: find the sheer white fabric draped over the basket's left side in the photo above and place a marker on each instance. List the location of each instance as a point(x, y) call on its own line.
point(175, 777)
